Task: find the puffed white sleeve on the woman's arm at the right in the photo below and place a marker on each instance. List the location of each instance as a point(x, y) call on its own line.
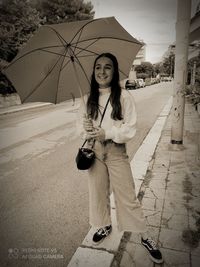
point(123, 132)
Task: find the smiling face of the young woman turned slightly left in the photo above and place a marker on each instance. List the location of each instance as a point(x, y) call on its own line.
point(103, 72)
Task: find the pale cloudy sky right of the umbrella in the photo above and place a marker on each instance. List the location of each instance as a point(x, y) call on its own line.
point(153, 21)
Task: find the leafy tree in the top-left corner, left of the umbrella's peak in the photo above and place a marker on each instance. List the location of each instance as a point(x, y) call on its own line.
point(18, 20)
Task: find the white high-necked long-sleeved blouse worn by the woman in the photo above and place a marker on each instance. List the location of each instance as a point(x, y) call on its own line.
point(120, 131)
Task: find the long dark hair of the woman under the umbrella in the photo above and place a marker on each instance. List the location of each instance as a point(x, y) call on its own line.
point(93, 99)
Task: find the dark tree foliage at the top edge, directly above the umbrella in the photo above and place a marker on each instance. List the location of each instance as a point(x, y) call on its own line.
point(57, 11)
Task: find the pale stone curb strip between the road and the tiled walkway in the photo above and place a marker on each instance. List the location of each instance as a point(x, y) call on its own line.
point(103, 255)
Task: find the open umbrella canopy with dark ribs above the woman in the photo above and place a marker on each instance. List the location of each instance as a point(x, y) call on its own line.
point(46, 68)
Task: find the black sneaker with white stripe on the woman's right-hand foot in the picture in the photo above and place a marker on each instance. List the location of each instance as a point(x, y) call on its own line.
point(153, 250)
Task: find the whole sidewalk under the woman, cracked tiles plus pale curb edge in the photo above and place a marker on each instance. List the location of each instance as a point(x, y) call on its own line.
point(169, 188)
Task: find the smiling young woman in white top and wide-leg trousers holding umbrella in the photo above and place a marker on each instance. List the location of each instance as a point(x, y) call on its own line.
point(111, 167)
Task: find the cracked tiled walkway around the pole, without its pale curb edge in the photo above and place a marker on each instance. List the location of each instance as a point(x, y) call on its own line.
point(171, 200)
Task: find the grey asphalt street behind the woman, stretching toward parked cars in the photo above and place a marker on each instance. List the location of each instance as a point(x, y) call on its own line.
point(43, 197)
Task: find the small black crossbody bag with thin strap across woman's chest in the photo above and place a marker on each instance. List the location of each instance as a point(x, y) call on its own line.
point(86, 156)
